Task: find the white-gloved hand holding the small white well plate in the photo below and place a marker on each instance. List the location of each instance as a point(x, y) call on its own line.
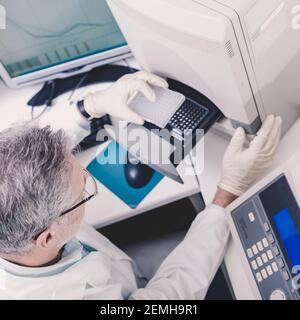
point(115, 100)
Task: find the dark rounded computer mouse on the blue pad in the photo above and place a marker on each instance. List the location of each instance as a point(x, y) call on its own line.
point(137, 175)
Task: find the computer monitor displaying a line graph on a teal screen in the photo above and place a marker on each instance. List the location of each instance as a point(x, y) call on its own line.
point(55, 39)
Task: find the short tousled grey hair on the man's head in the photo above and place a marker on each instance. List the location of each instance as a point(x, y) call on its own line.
point(35, 173)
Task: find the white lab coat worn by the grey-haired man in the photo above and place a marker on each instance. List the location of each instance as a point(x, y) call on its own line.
point(110, 274)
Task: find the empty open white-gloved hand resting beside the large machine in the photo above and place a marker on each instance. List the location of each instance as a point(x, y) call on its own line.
point(241, 167)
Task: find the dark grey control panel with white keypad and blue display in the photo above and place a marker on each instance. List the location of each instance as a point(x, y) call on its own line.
point(268, 225)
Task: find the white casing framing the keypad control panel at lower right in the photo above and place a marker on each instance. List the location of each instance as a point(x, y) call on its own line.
point(291, 170)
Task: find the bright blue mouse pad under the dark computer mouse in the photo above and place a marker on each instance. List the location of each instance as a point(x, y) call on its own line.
point(108, 168)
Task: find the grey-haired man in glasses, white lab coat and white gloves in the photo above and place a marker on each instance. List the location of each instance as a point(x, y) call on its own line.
point(47, 252)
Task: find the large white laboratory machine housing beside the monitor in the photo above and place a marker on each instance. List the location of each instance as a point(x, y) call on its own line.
point(244, 55)
